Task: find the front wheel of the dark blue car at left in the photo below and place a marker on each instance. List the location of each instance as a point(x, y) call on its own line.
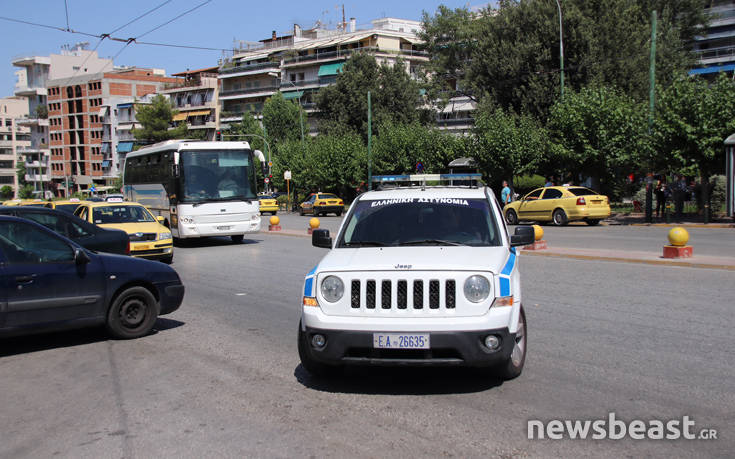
point(132, 314)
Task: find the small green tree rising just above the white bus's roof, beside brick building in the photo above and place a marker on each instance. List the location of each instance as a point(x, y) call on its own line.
point(156, 118)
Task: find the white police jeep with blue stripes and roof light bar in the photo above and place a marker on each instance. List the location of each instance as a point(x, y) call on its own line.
point(417, 275)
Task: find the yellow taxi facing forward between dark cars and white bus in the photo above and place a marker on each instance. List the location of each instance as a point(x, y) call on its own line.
point(148, 237)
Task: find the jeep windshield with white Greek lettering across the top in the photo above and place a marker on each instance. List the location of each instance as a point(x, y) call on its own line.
point(413, 222)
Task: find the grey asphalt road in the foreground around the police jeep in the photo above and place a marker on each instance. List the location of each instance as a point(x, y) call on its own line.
point(221, 376)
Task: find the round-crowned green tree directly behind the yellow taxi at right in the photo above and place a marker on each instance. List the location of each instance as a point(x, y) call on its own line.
point(600, 133)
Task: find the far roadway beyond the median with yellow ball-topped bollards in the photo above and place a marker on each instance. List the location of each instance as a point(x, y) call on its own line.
point(713, 241)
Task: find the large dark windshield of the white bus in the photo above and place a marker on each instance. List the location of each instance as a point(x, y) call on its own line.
point(217, 175)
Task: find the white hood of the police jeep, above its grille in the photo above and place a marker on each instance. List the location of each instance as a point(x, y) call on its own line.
point(422, 258)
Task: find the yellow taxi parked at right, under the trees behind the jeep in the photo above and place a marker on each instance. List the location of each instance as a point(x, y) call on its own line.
point(559, 205)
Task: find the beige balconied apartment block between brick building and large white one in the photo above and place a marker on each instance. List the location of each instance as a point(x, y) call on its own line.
point(196, 97)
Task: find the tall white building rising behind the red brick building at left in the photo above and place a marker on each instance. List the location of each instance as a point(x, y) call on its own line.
point(32, 76)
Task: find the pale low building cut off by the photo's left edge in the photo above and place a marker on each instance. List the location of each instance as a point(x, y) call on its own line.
point(13, 138)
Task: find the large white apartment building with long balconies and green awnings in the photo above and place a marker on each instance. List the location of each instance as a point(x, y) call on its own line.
point(300, 63)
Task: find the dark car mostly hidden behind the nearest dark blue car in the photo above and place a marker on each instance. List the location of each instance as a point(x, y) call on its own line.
point(87, 235)
